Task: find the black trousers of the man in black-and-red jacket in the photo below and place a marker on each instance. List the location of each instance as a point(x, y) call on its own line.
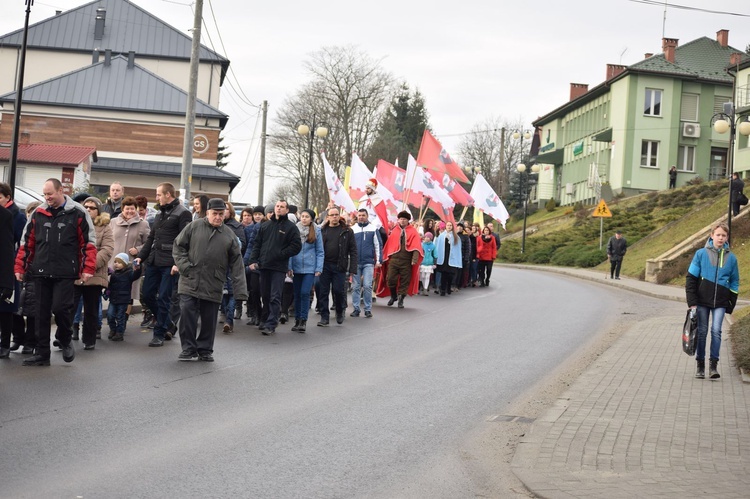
point(54, 297)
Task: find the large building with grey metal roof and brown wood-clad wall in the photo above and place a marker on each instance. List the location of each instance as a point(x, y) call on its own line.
point(110, 76)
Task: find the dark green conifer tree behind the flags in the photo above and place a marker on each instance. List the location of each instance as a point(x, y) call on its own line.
point(401, 129)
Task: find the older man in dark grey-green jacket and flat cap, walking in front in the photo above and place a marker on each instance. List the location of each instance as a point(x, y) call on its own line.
point(204, 251)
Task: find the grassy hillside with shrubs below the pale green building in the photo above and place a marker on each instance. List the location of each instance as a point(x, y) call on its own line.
point(652, 224)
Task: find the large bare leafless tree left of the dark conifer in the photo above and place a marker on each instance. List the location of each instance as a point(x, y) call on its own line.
point(349, 92)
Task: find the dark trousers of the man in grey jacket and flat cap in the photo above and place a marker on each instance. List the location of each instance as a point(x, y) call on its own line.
point(192, 310)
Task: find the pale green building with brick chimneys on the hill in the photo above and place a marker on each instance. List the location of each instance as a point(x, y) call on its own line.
point(622, 136)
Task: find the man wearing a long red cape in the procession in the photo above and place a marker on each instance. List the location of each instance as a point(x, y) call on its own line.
point(402, 255)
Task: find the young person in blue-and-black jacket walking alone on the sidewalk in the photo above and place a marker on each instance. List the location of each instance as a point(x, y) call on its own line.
point(712, 284)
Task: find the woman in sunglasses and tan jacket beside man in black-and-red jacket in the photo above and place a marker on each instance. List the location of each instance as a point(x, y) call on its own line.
point(88, 294)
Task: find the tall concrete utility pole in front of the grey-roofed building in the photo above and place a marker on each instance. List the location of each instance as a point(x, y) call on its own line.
point(186, 176)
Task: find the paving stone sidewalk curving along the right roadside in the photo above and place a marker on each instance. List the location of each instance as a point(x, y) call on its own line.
point(638, 424)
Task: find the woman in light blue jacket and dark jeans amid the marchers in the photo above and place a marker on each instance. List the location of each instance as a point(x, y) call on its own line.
point(305, 266)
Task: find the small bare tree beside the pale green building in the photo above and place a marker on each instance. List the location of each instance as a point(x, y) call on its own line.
point(481, 148)
